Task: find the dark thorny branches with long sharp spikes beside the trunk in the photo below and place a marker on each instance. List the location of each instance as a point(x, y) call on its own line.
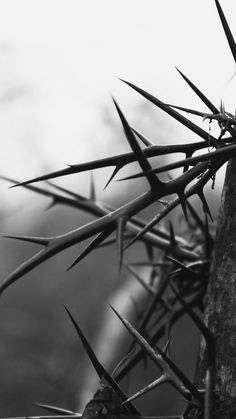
point(178, 280)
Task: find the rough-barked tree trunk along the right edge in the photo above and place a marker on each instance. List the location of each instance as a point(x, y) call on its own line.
point(220, 312)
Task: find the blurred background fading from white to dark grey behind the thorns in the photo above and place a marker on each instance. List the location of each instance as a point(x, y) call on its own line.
point(59, 66)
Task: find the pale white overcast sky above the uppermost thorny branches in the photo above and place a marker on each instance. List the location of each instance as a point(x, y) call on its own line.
point(60, 59)
